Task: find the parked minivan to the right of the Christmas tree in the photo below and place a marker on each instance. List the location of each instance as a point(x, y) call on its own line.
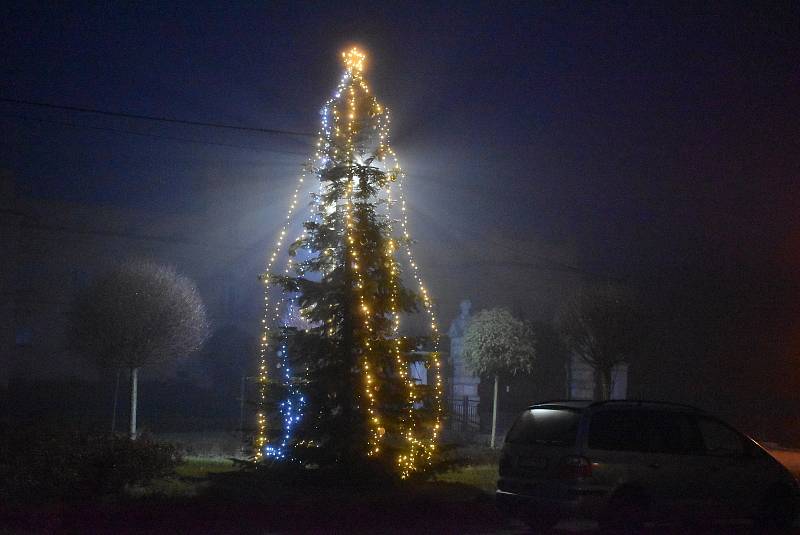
point(626, 462)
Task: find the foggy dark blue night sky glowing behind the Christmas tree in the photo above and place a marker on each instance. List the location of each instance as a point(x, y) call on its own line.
point(653, 140)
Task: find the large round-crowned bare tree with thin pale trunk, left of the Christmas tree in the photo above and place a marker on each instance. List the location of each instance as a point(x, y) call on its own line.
point(138, 314)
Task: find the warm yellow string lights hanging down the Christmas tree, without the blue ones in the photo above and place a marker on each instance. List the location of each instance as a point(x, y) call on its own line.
point(418, 448)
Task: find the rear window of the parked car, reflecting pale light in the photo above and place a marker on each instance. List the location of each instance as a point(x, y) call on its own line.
point(557, 427)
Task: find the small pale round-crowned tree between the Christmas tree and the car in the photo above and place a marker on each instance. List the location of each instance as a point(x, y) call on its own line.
point(496, 342)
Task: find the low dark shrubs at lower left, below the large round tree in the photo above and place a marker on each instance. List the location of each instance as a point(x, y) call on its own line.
point(38, 465)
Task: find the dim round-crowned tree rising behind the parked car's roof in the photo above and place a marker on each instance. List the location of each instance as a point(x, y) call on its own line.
point(602, 325)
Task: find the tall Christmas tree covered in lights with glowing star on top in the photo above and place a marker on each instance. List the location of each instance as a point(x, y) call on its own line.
point(351, 367)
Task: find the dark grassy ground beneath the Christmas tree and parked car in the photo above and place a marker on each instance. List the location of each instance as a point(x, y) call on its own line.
point(209, 495)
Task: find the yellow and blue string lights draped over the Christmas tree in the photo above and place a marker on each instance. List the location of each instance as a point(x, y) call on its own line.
point(342, 124)
